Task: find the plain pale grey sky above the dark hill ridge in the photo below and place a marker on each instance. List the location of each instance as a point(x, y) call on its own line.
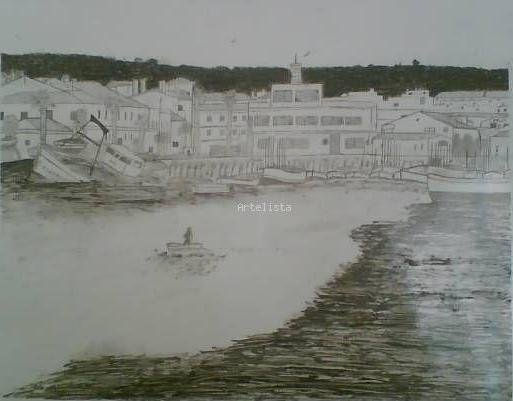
point(266, 32)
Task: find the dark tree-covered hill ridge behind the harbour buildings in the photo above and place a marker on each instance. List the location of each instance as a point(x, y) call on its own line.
point(387, 80)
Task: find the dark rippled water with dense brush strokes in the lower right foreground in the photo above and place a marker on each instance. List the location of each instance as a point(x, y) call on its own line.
point(423, 314)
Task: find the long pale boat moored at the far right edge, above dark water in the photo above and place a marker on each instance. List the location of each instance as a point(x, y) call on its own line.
point(484, 184)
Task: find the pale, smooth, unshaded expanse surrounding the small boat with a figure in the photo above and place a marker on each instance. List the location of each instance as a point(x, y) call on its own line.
point(86, 284)
